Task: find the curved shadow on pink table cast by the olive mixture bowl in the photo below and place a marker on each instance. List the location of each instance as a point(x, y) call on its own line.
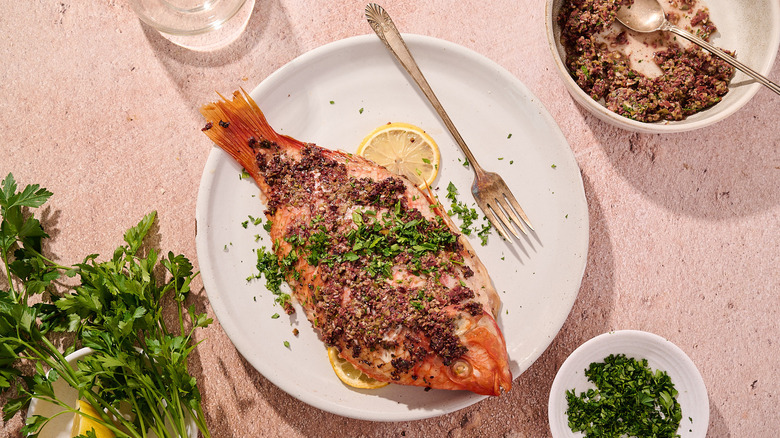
point(725, 170)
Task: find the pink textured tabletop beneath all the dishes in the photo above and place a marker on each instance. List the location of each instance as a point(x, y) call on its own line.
point(103, 111)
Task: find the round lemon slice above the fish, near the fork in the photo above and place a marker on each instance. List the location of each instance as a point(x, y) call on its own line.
point(403, 149)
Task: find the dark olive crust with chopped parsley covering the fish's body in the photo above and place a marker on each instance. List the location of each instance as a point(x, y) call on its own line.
point(385, 275)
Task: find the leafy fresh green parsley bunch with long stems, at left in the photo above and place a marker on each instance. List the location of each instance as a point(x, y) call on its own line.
point(115, 308)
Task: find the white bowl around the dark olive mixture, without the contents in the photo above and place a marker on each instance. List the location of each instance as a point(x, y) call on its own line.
point(749, 27)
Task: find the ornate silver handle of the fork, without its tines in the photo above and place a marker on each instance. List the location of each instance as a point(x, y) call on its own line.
point(384, 27)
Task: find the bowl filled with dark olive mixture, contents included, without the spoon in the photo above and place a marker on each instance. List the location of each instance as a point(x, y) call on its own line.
point(655, 82)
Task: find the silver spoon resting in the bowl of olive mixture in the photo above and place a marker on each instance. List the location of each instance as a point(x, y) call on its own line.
point(648, 16)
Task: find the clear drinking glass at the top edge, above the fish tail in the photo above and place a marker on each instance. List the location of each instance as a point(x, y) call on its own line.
point(196, 24)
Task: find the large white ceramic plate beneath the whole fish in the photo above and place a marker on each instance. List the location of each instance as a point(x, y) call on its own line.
point(334, 96)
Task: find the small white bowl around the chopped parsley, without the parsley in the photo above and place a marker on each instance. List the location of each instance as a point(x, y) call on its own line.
point(660, 354)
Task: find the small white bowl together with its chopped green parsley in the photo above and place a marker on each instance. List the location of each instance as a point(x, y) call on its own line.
point(628, 382)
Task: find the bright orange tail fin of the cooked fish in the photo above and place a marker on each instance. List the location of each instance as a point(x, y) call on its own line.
point(240, 128)
